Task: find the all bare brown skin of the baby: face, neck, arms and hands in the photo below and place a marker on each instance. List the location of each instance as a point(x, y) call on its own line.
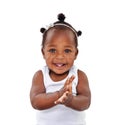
point(59, 53)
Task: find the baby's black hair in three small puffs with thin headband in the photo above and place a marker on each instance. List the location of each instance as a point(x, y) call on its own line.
point(60, 25)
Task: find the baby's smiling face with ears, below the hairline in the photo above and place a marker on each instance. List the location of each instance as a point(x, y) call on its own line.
point(59, 51)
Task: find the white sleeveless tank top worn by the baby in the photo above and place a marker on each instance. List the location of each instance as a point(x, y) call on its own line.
point(60, 114)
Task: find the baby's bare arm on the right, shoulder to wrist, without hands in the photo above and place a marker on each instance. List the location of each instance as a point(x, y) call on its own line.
point(82, 100)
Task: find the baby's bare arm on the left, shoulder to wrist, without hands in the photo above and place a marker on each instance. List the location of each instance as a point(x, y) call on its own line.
point(38, 97)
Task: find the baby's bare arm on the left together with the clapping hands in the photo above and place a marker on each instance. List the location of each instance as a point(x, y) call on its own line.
point(41, 100)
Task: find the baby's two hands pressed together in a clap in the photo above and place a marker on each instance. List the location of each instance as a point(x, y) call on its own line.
point(66, 92)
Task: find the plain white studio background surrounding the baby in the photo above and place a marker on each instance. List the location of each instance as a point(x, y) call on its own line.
point(20, 55)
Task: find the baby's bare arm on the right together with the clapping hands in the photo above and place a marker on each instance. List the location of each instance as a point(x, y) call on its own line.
point(82, 100)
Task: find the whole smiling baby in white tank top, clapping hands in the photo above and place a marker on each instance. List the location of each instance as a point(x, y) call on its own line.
point(60, 91)
